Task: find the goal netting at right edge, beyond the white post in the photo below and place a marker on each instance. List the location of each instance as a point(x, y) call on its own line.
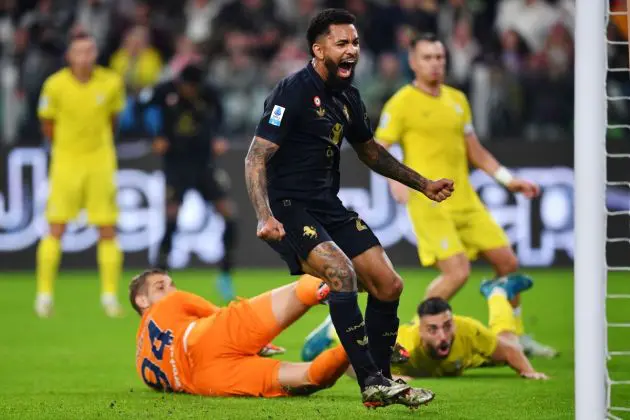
point(617, 210)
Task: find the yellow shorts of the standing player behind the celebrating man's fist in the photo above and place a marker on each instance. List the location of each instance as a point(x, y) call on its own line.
point(442, 234)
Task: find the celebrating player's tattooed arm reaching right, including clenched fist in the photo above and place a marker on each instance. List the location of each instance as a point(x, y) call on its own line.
point(377, 158)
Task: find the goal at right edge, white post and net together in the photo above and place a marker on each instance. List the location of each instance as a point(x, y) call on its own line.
point(602, 210)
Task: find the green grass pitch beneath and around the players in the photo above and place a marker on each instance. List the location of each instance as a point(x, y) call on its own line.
point(80, 364)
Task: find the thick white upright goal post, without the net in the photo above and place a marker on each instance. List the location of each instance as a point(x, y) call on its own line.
point(590, 209)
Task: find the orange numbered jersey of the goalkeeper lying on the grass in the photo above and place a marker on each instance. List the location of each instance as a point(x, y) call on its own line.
point(161, 359)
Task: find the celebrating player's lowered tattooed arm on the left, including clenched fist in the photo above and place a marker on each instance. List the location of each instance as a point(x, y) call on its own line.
point(260, 151)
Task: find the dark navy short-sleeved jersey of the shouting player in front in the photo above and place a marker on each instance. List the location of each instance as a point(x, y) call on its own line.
point(309, 122)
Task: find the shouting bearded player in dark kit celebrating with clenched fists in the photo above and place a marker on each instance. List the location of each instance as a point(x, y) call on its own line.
point(292, 175)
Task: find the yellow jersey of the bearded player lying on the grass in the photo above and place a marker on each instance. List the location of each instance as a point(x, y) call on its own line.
point(472, 346)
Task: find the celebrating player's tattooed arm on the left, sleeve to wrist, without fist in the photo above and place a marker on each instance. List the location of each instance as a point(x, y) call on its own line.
point(260, 151)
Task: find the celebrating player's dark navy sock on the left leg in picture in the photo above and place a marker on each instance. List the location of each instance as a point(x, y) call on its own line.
point(348, 321)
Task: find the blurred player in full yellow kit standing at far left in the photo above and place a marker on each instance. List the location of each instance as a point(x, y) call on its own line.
point(78, 108)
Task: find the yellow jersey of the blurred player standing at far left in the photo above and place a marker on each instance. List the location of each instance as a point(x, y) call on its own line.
point(82, 115)
